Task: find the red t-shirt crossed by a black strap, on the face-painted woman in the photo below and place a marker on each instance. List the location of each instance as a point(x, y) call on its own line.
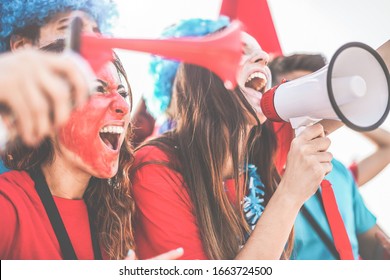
point(25, 229)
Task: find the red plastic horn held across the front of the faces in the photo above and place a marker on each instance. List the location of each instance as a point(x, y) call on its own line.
point(220, 52)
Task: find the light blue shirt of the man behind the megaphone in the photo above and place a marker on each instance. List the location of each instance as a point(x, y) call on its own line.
point(357, 218)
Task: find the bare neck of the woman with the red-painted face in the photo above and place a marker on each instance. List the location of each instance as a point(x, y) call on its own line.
point(64, 180)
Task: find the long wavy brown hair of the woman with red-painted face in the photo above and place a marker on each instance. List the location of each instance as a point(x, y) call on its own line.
point(110, 207)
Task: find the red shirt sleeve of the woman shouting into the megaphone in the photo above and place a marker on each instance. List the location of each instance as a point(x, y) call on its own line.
point(165, 217)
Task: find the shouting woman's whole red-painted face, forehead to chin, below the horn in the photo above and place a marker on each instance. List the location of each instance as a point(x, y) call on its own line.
point(96, 130)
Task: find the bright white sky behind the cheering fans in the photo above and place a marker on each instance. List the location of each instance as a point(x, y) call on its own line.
point(308, 26)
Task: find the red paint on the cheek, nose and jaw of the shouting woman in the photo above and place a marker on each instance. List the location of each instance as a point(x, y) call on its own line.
point(81, 135)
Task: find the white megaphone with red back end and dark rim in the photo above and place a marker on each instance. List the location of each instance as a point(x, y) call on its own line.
point(354, 88)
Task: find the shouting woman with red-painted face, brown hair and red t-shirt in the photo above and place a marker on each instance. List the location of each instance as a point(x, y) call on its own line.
point(65, 199)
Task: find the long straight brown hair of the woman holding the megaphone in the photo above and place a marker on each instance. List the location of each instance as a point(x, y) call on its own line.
point(212, 122)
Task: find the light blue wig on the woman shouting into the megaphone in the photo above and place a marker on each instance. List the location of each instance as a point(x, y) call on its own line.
point(163, 71)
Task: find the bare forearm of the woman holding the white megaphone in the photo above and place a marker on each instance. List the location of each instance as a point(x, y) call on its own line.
point(269, 238)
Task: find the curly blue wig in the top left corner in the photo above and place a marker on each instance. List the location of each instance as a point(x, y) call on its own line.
point(18, 14)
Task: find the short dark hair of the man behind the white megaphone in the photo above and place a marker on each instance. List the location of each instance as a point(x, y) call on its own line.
point(282, 65)
